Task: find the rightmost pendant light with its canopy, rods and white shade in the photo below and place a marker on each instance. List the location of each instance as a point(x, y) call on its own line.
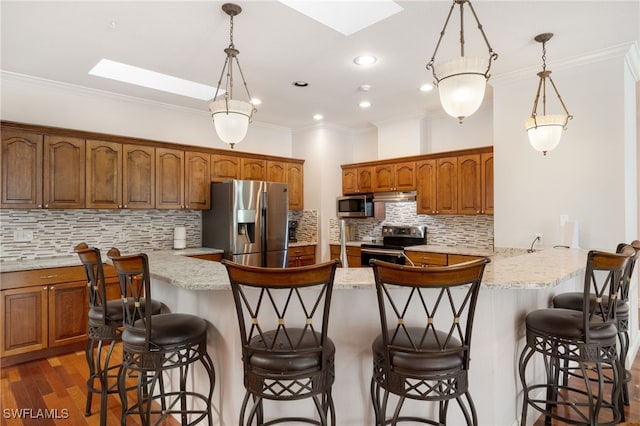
point(545, 130)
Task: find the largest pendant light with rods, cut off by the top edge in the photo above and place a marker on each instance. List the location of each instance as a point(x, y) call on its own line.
point(462, 81)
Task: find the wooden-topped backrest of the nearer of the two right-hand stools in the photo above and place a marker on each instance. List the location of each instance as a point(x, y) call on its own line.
point(604, 278)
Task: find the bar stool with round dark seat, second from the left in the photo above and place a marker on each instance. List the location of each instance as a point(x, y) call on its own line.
point(158, 344)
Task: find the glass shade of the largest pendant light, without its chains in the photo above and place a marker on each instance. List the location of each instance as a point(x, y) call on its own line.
point(462, 85)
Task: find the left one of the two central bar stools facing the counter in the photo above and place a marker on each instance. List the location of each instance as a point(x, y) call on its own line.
point(283, 315)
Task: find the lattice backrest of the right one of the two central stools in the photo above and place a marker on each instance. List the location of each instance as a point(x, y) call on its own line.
point(440, 301)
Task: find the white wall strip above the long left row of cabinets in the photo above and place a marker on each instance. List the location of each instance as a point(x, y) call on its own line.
point(35, 101)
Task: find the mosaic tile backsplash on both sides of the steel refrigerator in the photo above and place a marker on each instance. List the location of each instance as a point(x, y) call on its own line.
point(56, 232)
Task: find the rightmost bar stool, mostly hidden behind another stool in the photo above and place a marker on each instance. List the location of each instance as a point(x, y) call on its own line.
point(574, 300)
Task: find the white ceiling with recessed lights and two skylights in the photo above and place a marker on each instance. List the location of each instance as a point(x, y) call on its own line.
point(62, 41)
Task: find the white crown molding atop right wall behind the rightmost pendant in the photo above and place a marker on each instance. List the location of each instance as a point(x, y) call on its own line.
point(617, 51)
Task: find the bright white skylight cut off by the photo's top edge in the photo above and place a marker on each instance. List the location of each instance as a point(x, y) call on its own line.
point(345, 17)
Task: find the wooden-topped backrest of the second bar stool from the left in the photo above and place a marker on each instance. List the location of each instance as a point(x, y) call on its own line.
point(135, 287)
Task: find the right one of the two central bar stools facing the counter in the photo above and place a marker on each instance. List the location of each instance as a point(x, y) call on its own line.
point(423, 351)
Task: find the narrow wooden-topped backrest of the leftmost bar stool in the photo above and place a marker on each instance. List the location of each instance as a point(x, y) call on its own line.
point(92, 263)
